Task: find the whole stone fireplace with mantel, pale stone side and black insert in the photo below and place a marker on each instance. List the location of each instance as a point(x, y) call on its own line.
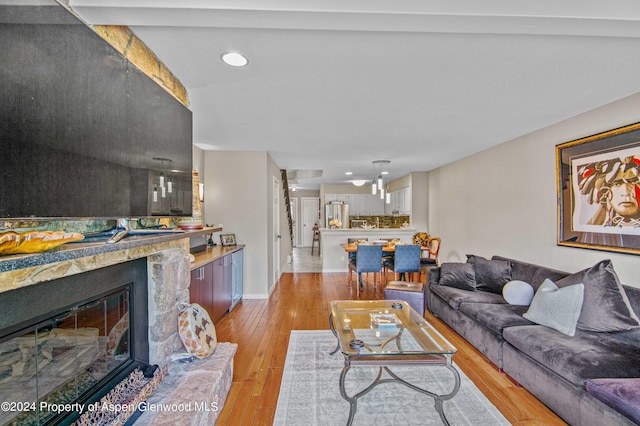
point(75, 322)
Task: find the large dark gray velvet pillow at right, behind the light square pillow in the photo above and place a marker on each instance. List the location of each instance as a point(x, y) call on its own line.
point(606, 306)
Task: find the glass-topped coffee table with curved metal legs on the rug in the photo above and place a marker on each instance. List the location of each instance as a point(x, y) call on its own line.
point(384, 334)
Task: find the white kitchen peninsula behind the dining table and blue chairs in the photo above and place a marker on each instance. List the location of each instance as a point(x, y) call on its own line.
point(334, 258)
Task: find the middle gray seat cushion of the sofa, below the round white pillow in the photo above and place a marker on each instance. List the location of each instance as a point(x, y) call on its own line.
point(495, 317)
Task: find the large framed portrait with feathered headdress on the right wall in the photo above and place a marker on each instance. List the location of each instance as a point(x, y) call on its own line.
point(598, 191)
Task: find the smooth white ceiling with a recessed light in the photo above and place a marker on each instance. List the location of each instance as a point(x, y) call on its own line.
point(337, 84)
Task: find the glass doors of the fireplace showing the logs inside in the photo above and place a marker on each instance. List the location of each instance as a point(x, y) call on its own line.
point(64, 358)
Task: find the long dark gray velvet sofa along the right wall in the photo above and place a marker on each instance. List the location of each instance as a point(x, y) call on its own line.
point(553, 366)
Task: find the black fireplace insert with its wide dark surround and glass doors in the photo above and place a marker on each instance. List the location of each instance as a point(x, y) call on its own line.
point(65, 343)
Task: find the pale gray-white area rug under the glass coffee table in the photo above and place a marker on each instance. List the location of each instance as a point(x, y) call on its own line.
point(310, 391)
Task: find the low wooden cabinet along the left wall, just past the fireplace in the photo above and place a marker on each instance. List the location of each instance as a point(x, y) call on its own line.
point(212, 283)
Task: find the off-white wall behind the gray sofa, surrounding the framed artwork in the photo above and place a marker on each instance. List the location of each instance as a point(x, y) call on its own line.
point(503, 200)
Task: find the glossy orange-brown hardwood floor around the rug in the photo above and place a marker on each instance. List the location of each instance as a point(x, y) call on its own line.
point(300, 301)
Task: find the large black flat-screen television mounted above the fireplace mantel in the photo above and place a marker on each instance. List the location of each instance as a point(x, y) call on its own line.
point(83, 132)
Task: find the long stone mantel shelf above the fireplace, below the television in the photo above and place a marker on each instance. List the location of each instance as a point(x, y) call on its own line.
point(82, 249)
